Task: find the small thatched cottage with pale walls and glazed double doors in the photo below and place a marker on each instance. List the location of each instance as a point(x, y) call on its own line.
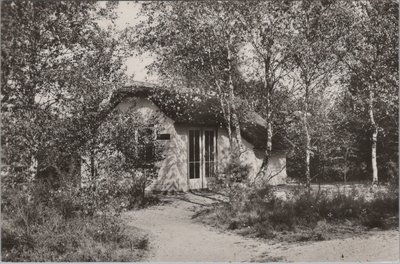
point(195, 137)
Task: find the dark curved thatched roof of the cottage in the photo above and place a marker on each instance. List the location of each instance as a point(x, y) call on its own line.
point(185, 107)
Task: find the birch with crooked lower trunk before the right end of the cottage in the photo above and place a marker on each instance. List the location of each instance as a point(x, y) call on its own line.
point(267, 26)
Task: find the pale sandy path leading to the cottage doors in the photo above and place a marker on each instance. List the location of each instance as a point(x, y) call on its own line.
point(174, 236)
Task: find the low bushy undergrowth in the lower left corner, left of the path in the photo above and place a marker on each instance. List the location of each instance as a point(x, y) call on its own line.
point(62, 230)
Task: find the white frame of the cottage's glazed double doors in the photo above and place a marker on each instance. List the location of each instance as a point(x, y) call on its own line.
point(203, 179)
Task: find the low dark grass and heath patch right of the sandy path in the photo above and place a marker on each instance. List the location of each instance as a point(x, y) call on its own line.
point(303, 217)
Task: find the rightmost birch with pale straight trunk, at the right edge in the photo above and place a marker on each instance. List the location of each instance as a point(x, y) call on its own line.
point(372, 61)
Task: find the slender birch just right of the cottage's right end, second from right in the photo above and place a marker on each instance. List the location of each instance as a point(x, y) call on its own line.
point(318, 33)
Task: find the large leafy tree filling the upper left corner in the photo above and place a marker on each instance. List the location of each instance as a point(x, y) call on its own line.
point(58, 68)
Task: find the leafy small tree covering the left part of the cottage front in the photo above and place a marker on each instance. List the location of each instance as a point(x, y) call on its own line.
point(124, 155)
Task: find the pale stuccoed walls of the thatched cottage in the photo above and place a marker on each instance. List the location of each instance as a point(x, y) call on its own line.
point(173, 172)
